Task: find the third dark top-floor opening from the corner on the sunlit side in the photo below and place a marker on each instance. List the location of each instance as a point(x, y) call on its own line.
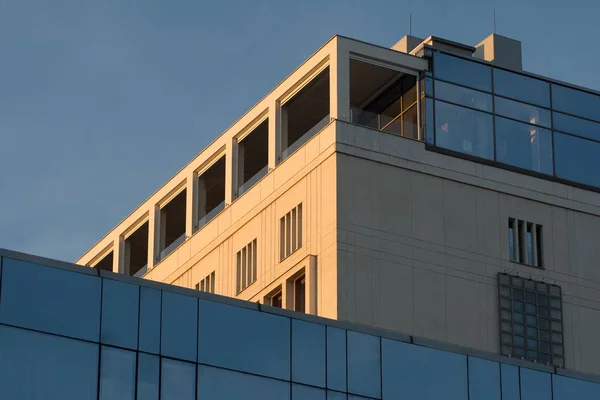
point(211, 192)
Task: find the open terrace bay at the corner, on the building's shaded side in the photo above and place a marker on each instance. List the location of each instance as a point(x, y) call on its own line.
point(383, 99)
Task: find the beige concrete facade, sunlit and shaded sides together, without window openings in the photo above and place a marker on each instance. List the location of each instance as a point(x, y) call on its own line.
point(395, 234)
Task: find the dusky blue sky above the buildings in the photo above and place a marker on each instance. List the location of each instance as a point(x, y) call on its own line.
point(102, 101)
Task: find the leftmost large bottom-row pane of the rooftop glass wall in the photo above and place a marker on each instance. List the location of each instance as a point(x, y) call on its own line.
point(464, 130)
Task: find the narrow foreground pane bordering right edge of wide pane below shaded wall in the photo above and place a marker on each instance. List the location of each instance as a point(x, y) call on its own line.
point(484, 379)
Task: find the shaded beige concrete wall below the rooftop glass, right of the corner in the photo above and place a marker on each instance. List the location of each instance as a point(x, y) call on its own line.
point(422, 237)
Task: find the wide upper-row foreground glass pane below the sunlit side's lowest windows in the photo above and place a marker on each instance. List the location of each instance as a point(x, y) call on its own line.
point(244, 340)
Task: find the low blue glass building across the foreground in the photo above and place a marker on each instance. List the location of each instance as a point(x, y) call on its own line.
point(69, 332)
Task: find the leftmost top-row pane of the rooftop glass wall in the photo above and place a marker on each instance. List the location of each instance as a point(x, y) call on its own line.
point(461, 71)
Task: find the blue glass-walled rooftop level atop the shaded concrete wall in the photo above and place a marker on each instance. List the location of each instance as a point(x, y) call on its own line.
point(513, 119)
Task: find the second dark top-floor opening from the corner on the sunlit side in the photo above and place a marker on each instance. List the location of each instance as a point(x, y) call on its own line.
point(253, 157)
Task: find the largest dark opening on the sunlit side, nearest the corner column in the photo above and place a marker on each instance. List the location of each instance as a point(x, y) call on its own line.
point(305, 114)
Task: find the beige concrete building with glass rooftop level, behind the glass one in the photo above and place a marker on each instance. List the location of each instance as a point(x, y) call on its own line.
point(433, 189)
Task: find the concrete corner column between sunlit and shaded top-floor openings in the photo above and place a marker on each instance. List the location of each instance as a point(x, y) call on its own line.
point(339, 81)
